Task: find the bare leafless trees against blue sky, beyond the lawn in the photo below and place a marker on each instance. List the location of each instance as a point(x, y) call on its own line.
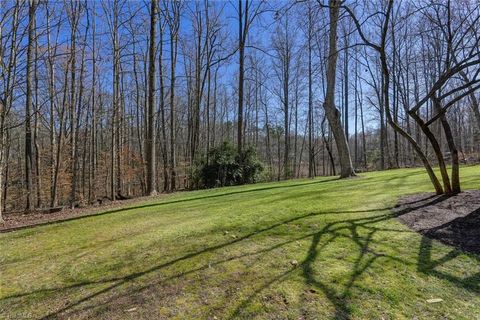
point(112, 99)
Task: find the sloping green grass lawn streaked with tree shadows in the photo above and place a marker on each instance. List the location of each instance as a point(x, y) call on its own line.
point(230, 253)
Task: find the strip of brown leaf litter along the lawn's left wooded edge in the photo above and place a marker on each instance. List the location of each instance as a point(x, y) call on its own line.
point(18, 220)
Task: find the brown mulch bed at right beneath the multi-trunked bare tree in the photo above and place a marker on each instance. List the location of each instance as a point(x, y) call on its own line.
point(453, 220)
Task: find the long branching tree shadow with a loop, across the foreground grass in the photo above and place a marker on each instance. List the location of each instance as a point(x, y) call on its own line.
point(332, 231)
